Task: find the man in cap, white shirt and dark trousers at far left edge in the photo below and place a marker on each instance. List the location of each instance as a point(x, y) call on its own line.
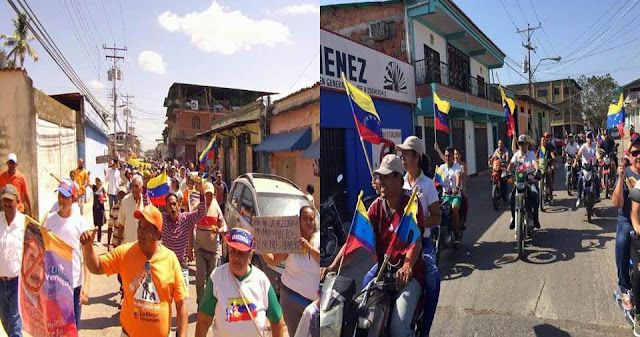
point(12, 226)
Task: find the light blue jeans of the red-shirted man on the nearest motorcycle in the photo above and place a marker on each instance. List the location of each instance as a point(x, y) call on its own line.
point(404, 307)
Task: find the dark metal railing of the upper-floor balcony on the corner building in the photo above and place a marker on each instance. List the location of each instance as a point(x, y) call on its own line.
point(428, 71)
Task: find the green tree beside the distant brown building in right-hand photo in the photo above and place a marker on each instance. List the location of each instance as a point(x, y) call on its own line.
point(596, 95)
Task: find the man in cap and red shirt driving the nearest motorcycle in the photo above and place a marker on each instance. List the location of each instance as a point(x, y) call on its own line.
point(385, 214)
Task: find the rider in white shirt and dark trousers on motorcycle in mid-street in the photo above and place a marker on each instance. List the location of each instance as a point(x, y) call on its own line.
point(527, 158)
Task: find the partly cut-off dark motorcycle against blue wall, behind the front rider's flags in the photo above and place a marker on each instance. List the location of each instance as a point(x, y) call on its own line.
point(332, 234)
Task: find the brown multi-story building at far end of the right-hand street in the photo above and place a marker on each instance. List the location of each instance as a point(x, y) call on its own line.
point(563, 95)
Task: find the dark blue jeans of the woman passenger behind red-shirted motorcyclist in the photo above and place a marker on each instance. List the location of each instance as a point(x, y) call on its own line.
point(432, 280)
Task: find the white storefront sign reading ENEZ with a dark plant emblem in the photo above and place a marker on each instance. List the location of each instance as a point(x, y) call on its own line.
point(378, 74)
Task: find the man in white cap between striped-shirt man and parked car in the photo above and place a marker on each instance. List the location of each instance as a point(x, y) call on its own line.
point(206, 243)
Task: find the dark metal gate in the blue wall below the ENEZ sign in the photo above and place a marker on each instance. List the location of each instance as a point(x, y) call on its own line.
point(332, 158)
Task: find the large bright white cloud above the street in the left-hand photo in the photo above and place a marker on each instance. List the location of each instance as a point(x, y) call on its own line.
point(220, 30)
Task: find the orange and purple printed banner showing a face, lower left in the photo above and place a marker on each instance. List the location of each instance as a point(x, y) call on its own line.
point(46, 288)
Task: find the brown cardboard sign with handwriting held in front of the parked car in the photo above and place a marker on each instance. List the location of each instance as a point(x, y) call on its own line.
point(276, 234)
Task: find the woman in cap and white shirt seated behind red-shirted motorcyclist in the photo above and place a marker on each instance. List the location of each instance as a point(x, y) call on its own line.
point(415, 163)
